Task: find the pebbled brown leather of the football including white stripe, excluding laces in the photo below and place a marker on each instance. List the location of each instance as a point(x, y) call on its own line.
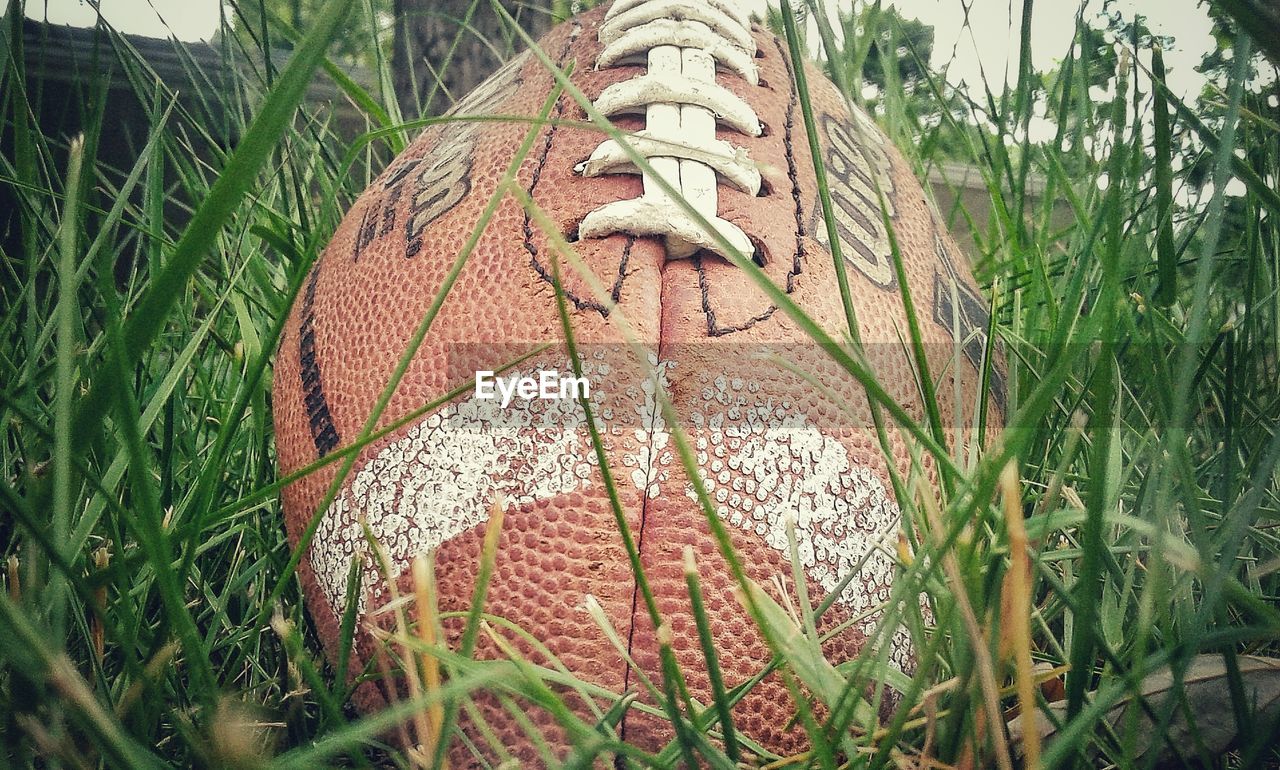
point(770, 444)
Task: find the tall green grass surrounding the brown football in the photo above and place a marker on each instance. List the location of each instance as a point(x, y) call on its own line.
point(1124, 524)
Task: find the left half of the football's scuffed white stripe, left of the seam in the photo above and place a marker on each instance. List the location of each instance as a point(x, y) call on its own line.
point(441, 479)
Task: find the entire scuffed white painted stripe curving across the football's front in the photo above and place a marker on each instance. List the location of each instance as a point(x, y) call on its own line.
point(761, 461)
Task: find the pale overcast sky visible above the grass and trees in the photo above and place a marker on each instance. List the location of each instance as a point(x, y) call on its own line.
point(990, 43)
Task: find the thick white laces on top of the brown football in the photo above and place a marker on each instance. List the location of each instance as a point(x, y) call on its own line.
point(683, 43)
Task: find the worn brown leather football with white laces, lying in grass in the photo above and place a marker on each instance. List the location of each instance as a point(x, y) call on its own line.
point(673, 334)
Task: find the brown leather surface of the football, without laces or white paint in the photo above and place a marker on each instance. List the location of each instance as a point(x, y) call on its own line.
point(376, 282)
